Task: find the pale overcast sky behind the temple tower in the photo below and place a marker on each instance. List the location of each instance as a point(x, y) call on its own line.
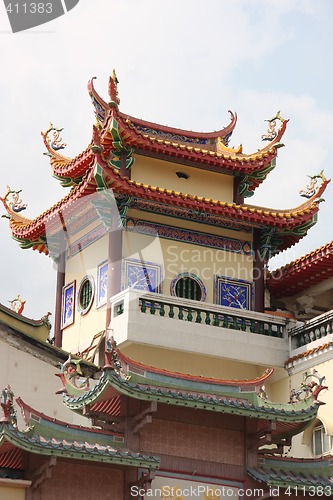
point(181, 63)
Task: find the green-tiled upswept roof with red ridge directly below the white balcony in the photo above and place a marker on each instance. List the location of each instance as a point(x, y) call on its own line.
point(122, 376)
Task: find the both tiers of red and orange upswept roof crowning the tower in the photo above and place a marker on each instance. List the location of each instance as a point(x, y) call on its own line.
point(116, 136)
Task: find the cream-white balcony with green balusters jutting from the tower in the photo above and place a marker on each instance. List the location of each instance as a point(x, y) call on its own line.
point(199, 328)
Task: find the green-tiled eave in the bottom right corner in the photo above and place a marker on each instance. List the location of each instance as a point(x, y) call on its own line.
point(308, 475)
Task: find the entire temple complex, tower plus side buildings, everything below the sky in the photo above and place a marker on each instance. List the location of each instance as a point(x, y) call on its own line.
point(185, 369)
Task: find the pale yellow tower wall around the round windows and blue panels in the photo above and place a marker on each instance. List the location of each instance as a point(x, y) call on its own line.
point(174, 258)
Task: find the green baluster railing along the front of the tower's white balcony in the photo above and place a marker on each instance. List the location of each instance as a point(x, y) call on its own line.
point(209, 314)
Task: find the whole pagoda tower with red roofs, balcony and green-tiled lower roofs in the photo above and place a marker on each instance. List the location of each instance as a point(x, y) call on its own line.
point(161, 300)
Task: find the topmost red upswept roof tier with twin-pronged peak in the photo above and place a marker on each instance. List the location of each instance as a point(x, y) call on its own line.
point(206, 150)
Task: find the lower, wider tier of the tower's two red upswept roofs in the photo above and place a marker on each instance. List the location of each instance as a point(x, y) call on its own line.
point(290, 225)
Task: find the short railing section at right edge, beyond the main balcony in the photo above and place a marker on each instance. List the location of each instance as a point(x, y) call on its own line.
point(315, 329)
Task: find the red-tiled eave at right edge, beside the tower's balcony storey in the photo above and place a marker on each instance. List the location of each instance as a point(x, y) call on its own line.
point(309, 270)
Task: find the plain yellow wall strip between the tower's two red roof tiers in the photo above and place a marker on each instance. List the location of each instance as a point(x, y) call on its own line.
point(200, 182)
